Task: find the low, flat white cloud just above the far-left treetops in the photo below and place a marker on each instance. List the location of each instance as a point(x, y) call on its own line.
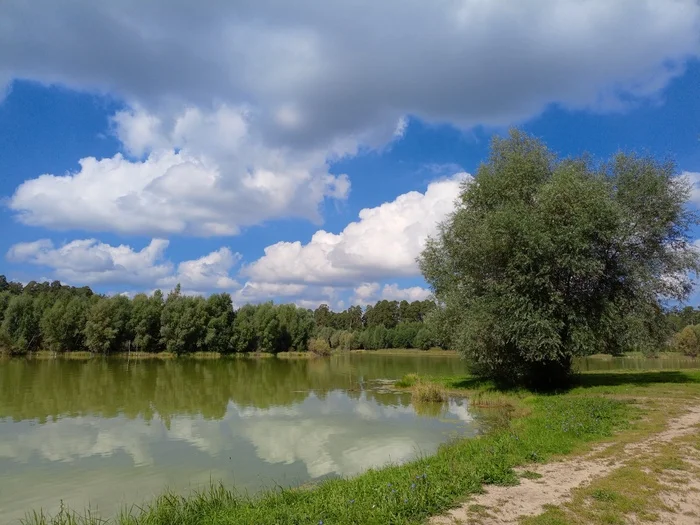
point(91, 262)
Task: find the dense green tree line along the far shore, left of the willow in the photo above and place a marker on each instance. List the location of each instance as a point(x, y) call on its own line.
point(60, 318)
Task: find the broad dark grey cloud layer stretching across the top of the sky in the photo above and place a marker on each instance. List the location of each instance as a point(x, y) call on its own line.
point(320, 70)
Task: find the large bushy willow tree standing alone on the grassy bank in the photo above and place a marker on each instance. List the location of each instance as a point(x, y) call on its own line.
point(545, 259)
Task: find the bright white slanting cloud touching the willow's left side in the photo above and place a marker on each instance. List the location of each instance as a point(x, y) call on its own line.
point(384, 242)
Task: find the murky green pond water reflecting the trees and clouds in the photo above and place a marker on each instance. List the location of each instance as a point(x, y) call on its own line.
point(106, 433)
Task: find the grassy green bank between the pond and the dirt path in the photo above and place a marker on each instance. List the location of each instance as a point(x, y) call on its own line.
point(602, 405)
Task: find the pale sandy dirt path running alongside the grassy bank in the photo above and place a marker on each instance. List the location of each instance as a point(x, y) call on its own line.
point(507, 505)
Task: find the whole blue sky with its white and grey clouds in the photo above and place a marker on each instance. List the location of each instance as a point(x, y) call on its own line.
point(304, 151)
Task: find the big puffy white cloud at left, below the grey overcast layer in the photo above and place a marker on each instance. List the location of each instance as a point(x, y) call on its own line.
point(204, 174)
